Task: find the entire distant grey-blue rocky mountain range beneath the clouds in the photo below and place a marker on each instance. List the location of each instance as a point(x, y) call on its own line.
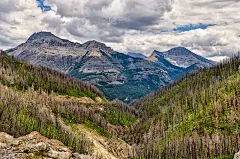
point(119, 76)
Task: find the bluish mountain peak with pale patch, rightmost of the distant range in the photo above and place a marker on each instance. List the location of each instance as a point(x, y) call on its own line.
point(182, 57)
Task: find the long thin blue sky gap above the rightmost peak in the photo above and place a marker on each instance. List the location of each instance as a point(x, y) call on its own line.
point(184, 28)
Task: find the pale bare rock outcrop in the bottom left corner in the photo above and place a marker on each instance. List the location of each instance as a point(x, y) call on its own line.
point(35, 145)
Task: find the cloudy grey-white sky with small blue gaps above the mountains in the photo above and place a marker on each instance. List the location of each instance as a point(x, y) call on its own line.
point(210, 28)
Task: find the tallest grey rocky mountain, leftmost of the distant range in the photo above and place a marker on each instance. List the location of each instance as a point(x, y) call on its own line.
point(45, 49)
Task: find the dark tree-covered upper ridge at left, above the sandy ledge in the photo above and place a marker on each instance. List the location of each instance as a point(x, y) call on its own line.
point(24, 75)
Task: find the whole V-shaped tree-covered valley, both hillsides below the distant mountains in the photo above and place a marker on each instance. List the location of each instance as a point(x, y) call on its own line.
point(195, 117)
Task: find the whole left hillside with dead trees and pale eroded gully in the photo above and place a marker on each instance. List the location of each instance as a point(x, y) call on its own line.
point(62, 108)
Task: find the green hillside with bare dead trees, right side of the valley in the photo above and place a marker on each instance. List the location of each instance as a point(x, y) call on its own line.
point(197, 117)
